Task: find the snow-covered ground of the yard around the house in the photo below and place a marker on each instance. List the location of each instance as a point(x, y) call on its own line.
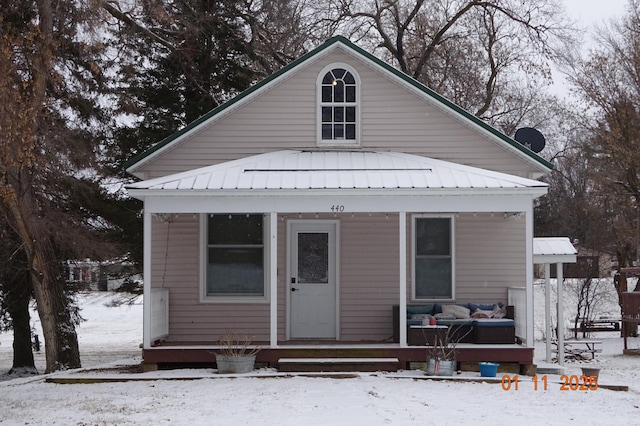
point(111, 336)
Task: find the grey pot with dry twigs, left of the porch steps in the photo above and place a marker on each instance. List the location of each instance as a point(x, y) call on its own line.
point(237, 354)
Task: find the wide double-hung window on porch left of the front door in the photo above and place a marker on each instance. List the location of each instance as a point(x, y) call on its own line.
point(235, 257)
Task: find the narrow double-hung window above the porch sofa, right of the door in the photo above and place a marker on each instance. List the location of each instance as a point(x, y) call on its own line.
point(433, 258)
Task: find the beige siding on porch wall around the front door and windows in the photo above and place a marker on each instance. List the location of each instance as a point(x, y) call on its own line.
point(489, 258)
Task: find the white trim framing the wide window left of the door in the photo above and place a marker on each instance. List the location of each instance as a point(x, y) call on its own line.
point(204, 298)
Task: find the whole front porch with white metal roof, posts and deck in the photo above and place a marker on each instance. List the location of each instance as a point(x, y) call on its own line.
point(370, 231)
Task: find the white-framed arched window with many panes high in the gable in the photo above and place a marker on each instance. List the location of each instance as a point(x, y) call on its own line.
point(338, 107)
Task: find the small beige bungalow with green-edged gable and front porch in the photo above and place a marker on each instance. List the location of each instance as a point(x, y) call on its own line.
point(307, 207)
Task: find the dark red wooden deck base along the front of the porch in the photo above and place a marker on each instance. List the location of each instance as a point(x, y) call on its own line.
point(175, 355)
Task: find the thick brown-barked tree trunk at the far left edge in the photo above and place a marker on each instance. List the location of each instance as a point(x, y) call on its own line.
point(20, 161)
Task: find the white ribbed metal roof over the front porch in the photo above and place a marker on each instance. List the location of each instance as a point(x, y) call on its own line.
point(299, 170)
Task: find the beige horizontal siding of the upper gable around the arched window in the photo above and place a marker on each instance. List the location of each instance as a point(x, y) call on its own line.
point(285, 118)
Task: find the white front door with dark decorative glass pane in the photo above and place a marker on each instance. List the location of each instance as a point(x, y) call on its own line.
point(312, 279)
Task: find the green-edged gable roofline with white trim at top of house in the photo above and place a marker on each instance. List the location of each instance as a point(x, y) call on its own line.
point(338, 42)
